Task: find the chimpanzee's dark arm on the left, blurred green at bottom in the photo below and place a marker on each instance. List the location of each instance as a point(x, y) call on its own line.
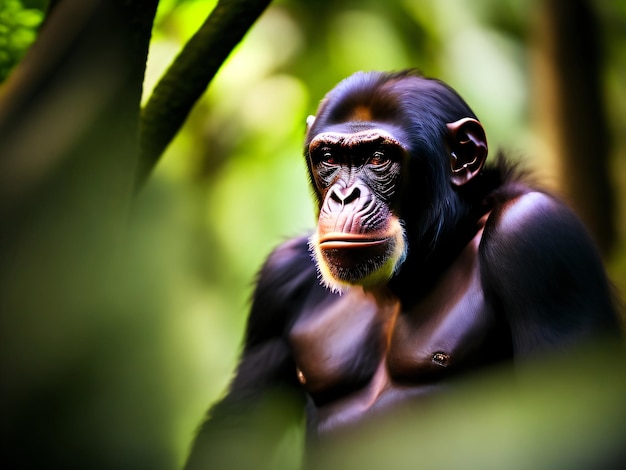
point(243, 429)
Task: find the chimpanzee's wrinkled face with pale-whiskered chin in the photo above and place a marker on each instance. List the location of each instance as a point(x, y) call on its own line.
point(358, 239)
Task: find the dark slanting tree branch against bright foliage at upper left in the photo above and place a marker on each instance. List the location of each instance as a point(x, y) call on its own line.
point(189, 76)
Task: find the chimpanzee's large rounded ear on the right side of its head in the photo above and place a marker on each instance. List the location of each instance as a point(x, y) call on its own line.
point(468, 149)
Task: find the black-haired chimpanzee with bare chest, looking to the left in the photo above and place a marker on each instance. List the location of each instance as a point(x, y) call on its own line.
point(425, 264)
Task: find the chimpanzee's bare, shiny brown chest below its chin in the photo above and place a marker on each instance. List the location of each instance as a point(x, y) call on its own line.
point(362, 349)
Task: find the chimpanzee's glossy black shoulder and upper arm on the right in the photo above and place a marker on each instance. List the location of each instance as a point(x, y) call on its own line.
point(541, 270)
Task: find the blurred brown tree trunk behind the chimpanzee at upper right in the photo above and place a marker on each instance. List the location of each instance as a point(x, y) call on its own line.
point(571, 112)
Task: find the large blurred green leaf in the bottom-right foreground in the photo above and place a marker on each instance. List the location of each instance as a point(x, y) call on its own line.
point(560, 413)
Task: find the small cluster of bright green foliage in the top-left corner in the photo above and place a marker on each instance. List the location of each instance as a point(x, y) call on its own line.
point(18, 29)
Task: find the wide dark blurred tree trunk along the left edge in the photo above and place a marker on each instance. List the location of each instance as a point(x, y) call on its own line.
point(69, 123)
